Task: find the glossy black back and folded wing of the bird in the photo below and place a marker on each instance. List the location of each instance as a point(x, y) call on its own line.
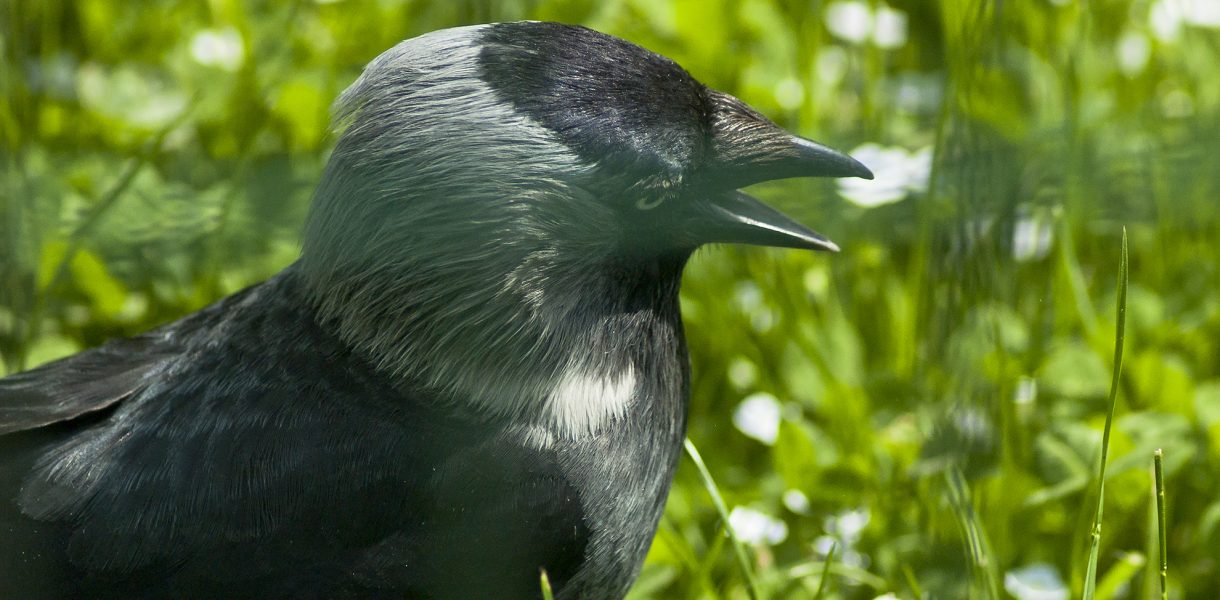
point(252, 453)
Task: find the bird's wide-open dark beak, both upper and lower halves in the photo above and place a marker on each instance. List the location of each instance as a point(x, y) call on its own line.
point(748, 149)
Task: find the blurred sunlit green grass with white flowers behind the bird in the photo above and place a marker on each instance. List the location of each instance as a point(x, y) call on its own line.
point(929, 402)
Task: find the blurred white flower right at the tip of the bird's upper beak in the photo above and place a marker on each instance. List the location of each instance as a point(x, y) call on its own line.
point(897, 174)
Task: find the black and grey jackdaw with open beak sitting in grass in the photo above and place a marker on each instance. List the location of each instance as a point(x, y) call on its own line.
point(475, 371)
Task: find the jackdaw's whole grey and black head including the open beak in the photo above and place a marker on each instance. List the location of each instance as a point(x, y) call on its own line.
point(496, 176)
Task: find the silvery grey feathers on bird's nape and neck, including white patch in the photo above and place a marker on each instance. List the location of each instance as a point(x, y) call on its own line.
point(446, 246)
